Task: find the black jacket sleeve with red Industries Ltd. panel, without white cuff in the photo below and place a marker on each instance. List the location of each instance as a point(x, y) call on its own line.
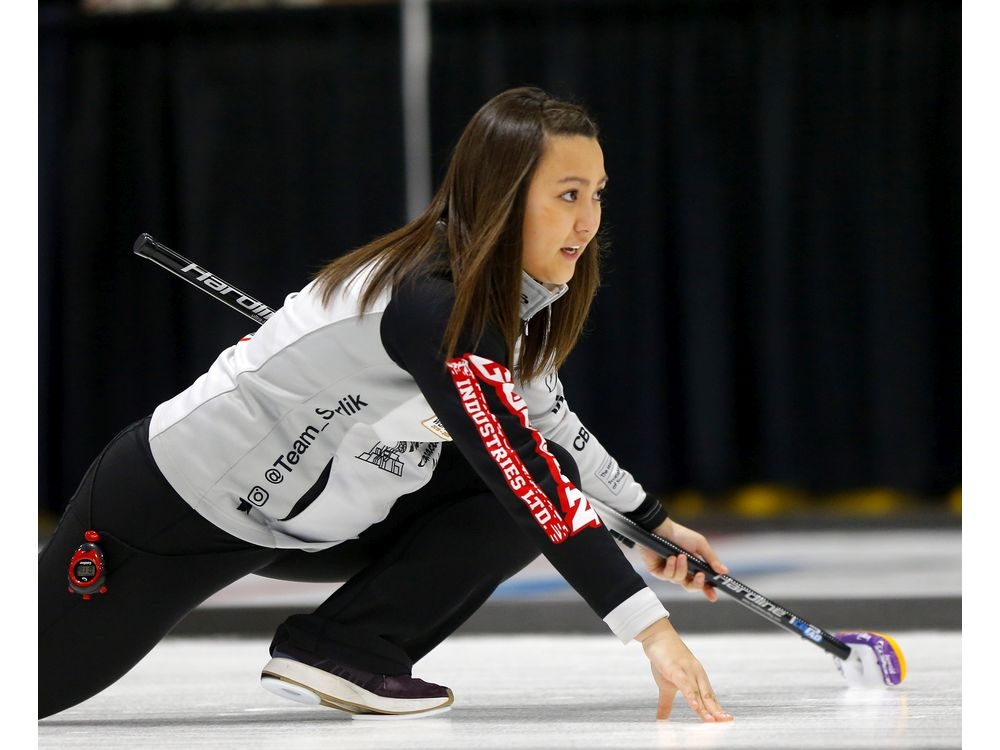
point(474, 398)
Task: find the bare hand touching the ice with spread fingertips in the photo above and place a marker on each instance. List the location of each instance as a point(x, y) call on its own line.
point(675, 669)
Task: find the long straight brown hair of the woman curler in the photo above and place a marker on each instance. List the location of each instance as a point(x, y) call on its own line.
point(481, 204)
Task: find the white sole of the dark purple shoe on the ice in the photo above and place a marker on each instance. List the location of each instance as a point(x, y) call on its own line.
point(311, 686)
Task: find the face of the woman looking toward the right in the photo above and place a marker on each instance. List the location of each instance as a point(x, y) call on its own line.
point(563, 210)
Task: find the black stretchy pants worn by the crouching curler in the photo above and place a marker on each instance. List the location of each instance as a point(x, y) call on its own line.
point(411, 579)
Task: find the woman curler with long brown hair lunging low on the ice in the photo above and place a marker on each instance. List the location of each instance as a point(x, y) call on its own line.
point(398, 425)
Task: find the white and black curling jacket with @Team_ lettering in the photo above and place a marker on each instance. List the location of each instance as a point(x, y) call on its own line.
point(306, 432)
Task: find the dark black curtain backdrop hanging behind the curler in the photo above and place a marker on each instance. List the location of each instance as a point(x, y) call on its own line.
point(781, 301)
